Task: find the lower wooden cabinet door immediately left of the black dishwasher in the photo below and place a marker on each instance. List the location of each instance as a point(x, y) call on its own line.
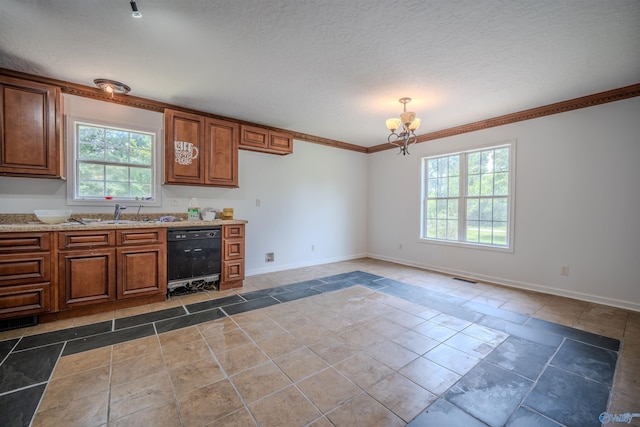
point(141, 271)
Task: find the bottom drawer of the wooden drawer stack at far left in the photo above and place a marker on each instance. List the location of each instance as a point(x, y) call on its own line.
point(25, 300)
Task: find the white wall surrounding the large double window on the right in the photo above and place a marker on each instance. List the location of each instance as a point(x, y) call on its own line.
point(577, 204)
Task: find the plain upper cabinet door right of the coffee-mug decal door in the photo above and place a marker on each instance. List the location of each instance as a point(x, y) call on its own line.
point(221, 158)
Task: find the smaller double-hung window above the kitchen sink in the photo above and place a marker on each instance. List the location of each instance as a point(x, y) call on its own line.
point(112, 163)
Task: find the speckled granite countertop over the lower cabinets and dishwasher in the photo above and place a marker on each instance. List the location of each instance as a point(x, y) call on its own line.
point(28, 222)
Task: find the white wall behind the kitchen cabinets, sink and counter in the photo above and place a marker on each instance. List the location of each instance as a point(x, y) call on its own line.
point(313, 197)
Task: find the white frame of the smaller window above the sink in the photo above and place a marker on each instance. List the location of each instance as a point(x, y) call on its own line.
point(72, 163)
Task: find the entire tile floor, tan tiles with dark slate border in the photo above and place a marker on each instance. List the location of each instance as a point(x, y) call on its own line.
point(371, 343)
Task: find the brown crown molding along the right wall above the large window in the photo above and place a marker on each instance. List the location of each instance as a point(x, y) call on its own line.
point(533, 113)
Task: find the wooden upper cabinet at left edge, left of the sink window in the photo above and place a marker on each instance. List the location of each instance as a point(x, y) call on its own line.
point(31, 141)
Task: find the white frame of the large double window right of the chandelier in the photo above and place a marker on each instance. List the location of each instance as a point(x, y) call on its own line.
point(462, 197)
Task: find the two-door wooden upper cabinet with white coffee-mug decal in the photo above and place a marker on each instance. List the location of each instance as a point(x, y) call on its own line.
point(200, 150)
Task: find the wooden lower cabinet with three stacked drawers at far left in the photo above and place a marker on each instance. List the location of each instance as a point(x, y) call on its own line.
point(25, 274)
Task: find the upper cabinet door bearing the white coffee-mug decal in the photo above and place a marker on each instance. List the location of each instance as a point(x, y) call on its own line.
point(183, 144)
